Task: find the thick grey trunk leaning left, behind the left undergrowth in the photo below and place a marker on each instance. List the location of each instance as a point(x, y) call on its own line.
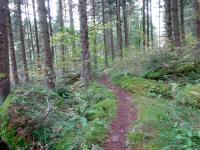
point(45, 40)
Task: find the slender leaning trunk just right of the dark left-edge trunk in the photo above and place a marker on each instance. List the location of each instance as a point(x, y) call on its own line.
point(12, 52)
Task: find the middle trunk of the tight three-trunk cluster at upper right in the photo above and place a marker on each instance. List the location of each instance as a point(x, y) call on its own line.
point(175, 23)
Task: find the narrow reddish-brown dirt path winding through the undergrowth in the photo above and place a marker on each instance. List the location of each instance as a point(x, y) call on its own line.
point(126, 114)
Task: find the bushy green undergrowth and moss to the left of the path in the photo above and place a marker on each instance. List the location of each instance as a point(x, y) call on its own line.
point(36, 117)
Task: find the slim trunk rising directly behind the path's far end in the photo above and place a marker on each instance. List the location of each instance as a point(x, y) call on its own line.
point(104, 34)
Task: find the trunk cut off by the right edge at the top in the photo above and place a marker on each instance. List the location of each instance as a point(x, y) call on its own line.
point(197, 17)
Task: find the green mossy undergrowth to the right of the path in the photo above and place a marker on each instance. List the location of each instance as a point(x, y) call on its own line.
point(167, 119)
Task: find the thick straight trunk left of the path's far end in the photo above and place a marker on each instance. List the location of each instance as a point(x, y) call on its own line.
point(85, 70)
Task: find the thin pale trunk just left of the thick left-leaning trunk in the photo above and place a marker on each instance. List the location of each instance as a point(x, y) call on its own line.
point(36, 37)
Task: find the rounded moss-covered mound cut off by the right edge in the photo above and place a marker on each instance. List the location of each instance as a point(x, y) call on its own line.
point(189, 95)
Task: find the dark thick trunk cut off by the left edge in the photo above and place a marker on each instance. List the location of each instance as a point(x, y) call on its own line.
point(4, 52)
